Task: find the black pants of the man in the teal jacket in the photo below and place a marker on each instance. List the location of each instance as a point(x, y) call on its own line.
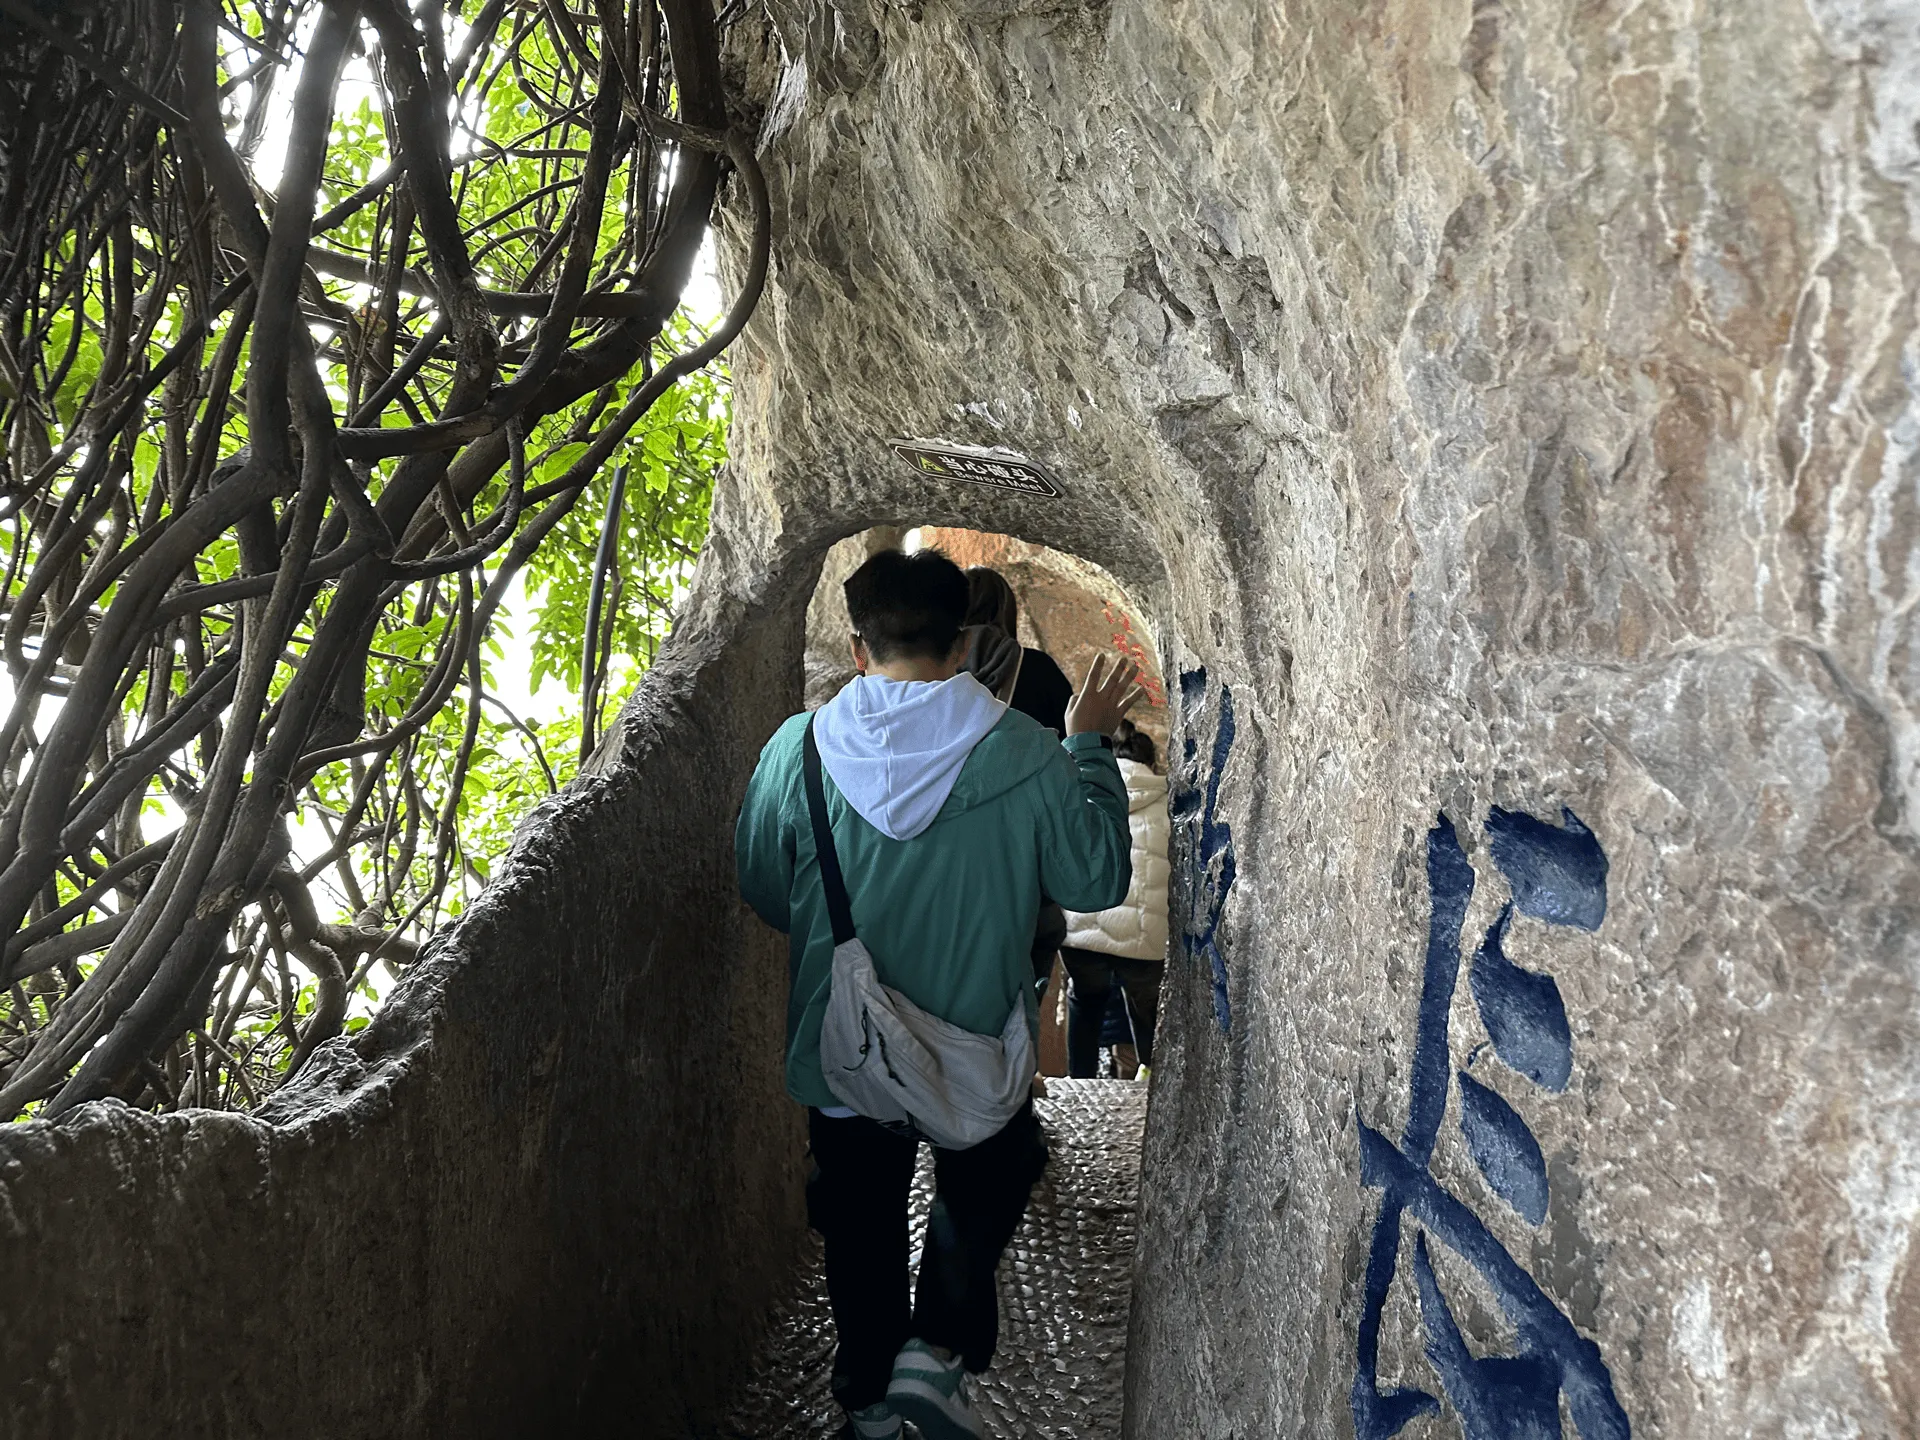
point(857, 1199)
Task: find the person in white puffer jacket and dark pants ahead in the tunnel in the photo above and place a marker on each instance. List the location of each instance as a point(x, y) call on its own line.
point(1130, 942)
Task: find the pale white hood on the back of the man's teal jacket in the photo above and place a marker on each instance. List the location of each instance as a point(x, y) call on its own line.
point(896, 746)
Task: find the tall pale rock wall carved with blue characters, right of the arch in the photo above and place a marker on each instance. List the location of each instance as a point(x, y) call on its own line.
point(1497, 404)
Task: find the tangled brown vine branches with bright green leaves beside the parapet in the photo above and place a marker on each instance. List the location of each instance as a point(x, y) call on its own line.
point(274, 450)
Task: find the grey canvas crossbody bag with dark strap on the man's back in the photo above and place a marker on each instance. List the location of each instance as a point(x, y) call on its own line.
point(888, 1059)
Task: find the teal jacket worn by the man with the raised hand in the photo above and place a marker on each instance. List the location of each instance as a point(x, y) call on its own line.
point(949, 913)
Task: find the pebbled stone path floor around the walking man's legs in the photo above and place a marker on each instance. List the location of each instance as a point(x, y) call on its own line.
point(1065, 1291)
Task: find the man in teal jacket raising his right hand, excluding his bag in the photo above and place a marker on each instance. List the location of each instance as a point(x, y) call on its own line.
point(951, 815)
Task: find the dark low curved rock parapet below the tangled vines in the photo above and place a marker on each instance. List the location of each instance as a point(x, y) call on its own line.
point(537, 1197)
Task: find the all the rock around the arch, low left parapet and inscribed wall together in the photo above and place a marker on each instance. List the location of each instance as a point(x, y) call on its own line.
point(1502, 418)
